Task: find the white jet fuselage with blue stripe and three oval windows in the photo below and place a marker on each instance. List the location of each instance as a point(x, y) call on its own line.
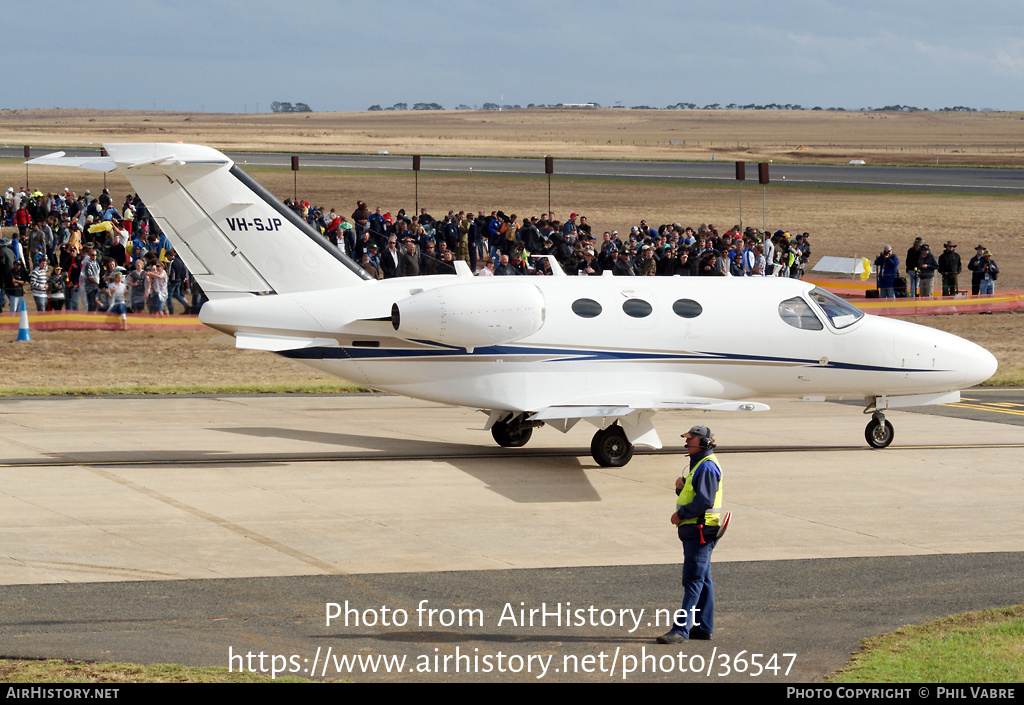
point(656, 338)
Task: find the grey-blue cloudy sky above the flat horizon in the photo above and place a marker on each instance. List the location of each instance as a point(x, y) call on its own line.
point(231, 56)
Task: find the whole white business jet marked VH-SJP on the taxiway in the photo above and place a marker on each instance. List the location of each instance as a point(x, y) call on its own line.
point(531, 351)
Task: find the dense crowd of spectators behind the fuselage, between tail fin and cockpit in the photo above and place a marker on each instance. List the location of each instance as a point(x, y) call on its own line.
point(500, 244)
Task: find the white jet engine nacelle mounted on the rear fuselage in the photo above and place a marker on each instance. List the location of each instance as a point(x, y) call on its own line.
point(472, 315)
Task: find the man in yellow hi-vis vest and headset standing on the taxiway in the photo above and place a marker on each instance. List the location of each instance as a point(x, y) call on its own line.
point(699, 511)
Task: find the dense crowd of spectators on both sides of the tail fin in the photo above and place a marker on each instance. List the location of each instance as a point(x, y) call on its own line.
point(89, 254)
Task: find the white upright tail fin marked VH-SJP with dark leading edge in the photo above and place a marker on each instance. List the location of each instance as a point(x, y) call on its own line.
point(233, 234)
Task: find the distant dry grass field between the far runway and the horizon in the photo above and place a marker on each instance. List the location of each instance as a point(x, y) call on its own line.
point(945, 139)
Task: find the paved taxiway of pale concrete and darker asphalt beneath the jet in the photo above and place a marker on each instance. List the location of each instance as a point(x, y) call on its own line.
point(185, 529)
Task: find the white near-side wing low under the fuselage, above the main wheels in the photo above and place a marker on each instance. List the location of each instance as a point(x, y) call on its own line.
point(636, 419)
